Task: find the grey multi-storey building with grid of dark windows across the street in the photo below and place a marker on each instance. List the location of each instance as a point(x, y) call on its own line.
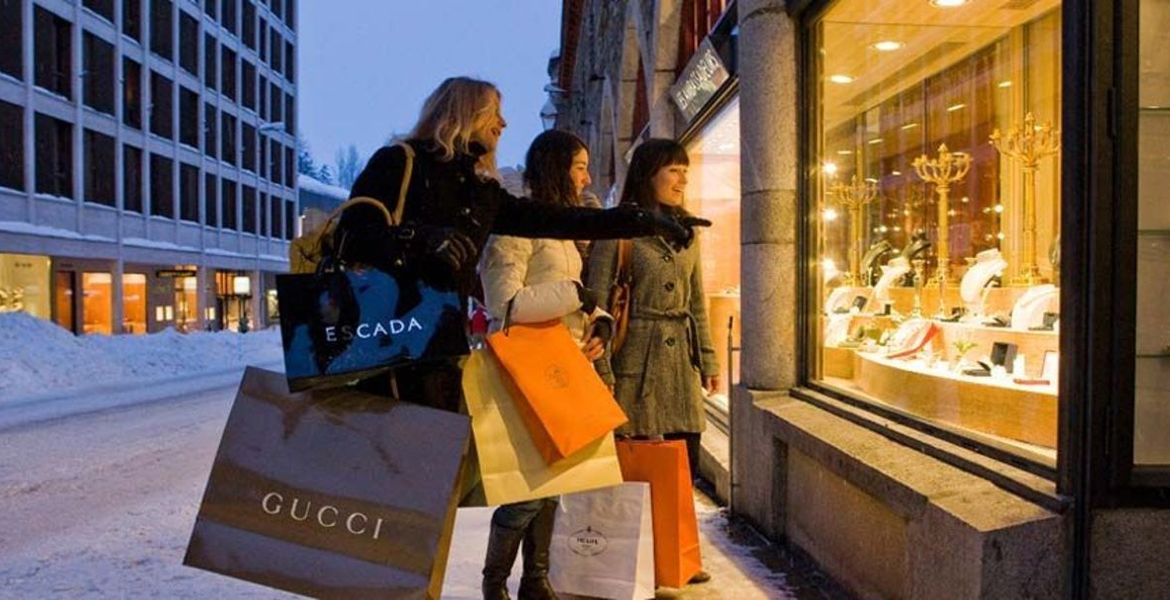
point(148, 174)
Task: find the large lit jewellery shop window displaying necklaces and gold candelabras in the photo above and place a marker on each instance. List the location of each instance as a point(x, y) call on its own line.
point(935, 183)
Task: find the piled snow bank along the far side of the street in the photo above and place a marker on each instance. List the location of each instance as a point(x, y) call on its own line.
point(38, 357)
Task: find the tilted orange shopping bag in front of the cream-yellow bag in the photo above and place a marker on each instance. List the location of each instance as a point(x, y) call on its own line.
point(563, 403)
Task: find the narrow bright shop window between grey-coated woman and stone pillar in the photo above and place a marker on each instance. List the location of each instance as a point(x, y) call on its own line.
point(713, 191)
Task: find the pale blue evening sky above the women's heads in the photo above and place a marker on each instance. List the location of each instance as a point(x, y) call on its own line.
point(367, 66)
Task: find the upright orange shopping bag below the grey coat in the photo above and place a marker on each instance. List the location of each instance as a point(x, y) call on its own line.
point(664, 465)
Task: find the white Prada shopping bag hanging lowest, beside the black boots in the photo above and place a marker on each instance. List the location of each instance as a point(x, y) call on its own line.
point(603, 544)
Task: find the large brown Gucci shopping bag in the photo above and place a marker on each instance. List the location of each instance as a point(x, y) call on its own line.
point(332, 494)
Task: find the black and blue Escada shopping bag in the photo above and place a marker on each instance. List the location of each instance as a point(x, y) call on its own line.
point(339, 327)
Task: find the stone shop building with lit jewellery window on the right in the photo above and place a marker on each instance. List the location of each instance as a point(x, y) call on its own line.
point(935, 270)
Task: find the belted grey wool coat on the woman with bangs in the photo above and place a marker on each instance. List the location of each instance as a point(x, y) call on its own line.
point(669, 346)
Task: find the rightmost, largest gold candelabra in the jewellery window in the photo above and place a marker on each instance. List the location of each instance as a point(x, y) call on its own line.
point(1029, 144)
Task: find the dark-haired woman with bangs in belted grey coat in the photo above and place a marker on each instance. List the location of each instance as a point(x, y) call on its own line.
point(667, 361)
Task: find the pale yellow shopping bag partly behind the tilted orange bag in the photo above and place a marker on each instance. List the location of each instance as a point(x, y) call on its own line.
point(512, 468)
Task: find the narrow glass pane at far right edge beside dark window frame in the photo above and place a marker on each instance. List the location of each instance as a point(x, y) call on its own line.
point(1152, 445)
